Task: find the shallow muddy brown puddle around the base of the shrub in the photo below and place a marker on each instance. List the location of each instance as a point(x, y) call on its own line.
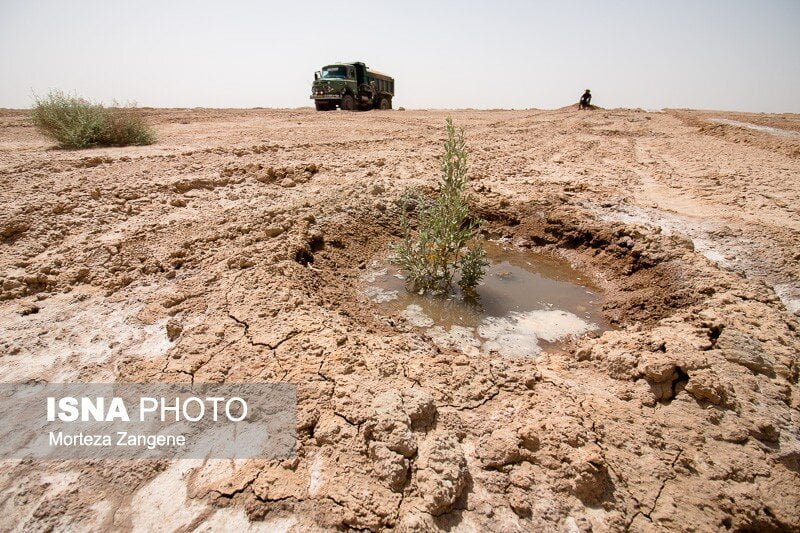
point(526, 303)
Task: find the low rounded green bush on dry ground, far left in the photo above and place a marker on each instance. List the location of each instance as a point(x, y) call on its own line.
point(77, 123)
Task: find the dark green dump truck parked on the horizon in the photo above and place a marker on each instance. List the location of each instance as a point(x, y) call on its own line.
point(351, 86)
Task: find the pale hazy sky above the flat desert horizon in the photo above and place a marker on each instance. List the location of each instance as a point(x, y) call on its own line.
point(734, 54)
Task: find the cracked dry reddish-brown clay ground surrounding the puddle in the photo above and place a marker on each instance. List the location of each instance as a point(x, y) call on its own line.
point(232, 250)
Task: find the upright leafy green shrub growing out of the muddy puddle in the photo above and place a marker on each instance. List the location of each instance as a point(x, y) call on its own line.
point(447, 240)
